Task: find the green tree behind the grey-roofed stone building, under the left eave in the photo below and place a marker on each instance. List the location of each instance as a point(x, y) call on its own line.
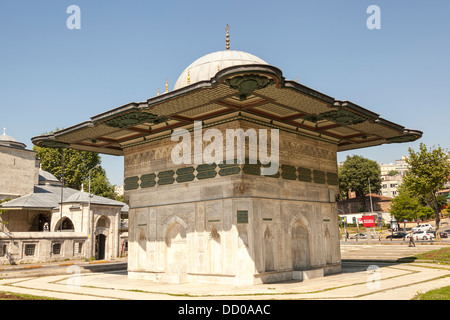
point(76, 169)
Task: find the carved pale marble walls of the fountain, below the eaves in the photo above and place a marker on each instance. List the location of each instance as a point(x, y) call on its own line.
point(227, 224)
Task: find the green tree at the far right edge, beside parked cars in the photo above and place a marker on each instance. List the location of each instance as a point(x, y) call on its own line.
point(428, 171)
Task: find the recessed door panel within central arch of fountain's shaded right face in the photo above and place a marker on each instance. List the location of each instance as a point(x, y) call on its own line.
point(300, 246)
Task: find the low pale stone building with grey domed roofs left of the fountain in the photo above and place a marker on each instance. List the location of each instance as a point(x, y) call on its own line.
point(41, 221)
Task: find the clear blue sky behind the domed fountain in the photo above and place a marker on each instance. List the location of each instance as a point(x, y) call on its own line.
point(51, 76)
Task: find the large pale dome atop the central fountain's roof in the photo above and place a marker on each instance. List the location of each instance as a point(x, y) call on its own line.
point(206, 67)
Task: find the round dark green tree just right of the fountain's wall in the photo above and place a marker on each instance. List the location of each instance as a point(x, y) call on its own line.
point(355, 175)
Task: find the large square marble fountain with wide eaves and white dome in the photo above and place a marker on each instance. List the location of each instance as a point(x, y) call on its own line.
point(225, 222)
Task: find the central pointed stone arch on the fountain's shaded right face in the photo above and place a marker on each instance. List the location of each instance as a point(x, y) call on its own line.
point(300, 233)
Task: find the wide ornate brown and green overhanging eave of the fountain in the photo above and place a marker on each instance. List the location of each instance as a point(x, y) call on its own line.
point(283, 102)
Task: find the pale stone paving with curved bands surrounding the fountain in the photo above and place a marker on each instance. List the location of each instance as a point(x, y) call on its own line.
point(369, 272)
